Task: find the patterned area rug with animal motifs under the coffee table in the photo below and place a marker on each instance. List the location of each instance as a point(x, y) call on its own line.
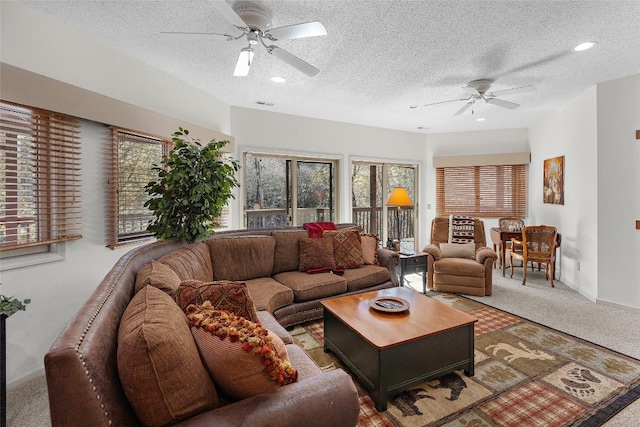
point(525, 375)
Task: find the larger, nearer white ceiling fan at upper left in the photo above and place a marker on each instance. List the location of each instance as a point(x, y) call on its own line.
point(255, 23)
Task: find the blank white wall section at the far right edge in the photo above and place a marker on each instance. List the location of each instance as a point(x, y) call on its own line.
point(618, 189)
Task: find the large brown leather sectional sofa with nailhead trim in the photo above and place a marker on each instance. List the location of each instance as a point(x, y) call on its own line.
point(82, 368)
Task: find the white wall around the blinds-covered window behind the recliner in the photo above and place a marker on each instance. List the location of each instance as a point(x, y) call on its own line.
point(465, 143)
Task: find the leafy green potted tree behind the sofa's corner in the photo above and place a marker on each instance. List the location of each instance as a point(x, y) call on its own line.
point(194, 184)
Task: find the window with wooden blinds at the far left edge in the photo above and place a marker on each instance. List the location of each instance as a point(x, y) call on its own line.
point(40, 203)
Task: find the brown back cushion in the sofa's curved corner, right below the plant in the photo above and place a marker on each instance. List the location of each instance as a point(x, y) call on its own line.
point(190, 262)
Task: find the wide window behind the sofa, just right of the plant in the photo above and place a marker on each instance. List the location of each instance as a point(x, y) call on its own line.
point(286, 190)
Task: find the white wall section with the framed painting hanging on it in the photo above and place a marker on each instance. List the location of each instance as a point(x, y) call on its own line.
point(571, 131)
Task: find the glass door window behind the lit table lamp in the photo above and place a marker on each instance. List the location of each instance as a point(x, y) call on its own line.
point(371, 184)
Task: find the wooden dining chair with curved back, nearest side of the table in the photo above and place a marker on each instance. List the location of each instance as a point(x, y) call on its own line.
point(538, 245)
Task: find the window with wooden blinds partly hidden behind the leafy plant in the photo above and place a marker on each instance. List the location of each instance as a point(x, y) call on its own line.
point(132, 157)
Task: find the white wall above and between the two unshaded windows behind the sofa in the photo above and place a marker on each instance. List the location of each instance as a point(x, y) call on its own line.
point(281, 133)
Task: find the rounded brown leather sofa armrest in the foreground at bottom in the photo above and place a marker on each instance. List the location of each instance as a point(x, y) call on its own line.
point(330, 399)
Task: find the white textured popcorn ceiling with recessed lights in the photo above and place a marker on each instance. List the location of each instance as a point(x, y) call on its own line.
point(382, 56)
